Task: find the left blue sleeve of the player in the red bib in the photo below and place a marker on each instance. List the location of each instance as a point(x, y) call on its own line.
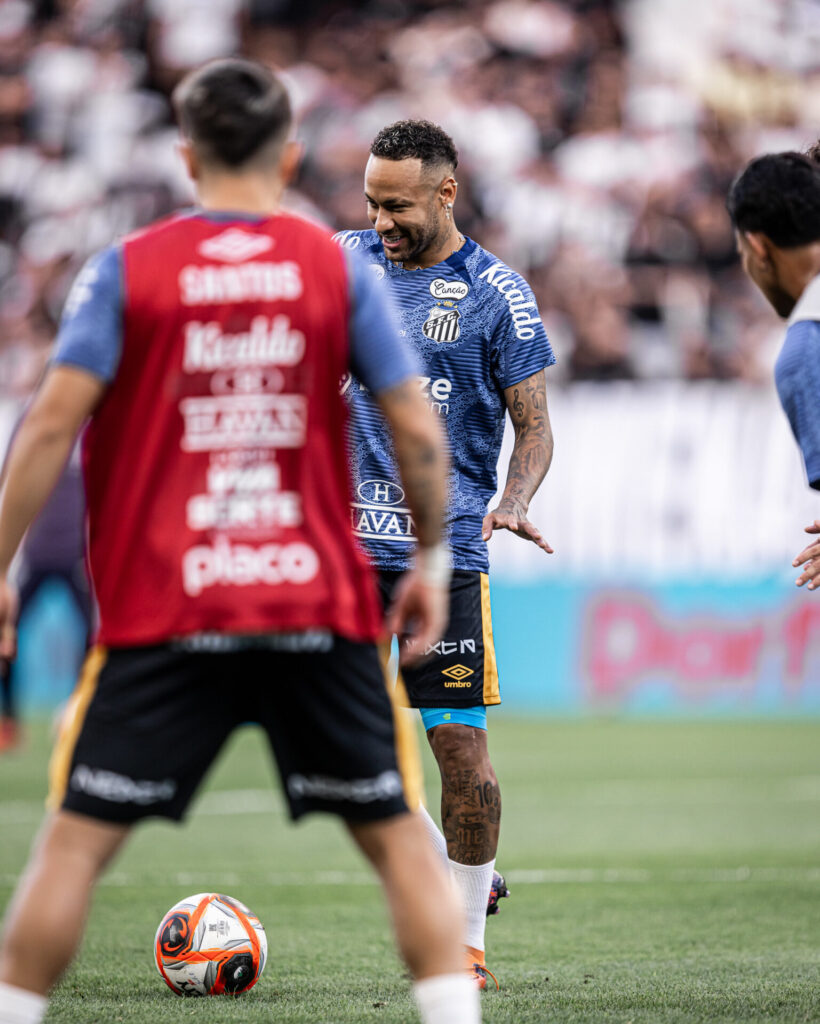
point(91, 333)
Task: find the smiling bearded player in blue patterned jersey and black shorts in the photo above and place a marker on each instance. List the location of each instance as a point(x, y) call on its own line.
point(477, 328)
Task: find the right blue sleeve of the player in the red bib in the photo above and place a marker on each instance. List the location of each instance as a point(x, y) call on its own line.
point(379, 359)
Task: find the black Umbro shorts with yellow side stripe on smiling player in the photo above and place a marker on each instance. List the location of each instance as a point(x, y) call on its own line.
point(460, 671)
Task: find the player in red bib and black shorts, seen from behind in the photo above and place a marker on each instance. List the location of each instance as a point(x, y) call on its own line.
point(207, 352)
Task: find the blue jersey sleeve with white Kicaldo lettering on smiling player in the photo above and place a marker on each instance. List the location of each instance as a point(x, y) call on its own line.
point(521, 346)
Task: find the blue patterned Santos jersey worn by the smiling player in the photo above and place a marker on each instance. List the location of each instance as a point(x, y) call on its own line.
point(477, 328)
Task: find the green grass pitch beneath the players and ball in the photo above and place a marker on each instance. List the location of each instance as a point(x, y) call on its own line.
point(662, 873)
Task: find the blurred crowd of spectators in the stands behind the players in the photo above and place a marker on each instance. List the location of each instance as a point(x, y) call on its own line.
point(597, 143)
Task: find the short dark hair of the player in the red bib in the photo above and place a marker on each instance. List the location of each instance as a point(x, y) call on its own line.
point(232, 109)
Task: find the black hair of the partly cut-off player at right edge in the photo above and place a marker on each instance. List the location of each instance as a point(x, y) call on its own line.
point(779, 195)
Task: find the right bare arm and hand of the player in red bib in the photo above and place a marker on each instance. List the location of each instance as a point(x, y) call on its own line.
point(421, 604)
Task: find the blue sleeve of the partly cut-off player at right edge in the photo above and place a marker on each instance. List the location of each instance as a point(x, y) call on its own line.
point(798, 378)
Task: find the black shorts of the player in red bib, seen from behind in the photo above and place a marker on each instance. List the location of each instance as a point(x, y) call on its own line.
point(145, 726)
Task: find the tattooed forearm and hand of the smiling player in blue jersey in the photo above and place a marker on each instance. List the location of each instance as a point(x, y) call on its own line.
point(533, 453)
